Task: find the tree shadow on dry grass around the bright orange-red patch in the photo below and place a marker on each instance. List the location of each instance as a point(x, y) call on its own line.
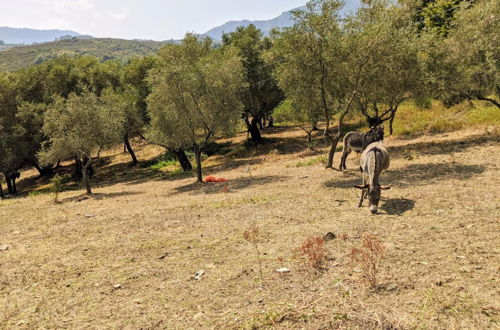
point(232, 186)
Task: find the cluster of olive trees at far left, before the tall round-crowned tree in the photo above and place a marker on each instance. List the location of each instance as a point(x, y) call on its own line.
point(43, 112)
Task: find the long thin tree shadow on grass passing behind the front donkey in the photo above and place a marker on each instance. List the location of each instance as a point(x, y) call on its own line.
point(413, 175)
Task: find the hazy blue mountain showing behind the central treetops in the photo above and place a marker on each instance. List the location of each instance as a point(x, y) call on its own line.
point(283, 20)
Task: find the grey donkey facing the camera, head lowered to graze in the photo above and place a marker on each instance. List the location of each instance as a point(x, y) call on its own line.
point(374, 160)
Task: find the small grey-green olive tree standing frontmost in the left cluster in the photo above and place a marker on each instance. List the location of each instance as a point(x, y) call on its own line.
point(80, 126)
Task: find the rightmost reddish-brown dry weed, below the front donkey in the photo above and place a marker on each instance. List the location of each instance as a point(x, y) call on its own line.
point(368, 256)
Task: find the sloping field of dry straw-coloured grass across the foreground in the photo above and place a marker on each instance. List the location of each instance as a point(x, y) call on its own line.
point(126, 257)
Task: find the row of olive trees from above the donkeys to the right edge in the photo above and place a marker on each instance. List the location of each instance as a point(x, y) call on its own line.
point(379, 57)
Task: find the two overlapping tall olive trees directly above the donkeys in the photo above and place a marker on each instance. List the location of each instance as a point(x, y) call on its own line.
point(333, 65)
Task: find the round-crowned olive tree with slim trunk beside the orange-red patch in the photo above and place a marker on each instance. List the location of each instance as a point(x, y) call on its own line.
point(194, 95)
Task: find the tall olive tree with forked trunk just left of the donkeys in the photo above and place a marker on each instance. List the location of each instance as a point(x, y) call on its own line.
point(314, 64)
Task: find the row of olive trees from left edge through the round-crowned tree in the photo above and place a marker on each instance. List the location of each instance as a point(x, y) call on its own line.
point(73, 108)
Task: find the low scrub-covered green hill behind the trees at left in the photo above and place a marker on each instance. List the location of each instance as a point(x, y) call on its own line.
point(22, 56)
